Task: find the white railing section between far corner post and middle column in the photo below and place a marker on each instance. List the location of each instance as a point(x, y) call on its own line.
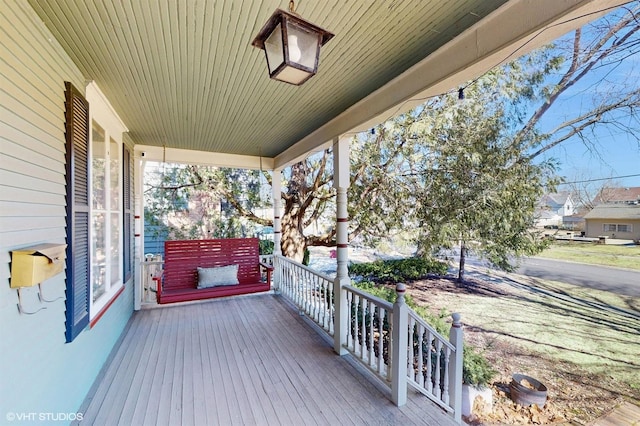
point(309, 290)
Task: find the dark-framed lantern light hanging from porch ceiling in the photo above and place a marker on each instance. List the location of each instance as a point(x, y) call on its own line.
point(292, 46)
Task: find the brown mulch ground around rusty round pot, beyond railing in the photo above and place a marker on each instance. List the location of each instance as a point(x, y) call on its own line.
point(575, 396)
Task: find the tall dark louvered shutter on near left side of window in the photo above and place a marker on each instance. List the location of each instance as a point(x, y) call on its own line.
point(77, 180)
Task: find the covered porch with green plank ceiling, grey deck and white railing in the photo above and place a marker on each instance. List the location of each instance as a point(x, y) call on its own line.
point(94, 89)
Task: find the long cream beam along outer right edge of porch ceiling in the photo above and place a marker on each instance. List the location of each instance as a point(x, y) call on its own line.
point(512, 30)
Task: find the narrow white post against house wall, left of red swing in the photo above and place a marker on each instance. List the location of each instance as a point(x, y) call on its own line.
point(138, 226)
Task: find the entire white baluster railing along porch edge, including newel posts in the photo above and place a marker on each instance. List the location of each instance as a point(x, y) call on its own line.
point(390, 339)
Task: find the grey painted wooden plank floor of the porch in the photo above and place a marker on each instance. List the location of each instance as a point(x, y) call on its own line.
point(238, 361)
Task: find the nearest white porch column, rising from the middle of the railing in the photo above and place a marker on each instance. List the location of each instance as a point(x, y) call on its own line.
point(341, 181)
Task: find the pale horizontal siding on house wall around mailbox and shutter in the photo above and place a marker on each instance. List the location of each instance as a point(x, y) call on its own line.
point(39, 372)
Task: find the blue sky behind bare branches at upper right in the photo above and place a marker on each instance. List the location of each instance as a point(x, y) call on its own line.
point(612, 153)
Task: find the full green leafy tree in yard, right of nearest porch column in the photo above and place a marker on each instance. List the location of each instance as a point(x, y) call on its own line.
point(472, 186)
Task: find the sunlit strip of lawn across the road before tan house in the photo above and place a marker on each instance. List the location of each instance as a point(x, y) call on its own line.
point(597, 254)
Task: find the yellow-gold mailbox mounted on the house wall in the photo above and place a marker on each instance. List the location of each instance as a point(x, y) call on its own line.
point(33, 265)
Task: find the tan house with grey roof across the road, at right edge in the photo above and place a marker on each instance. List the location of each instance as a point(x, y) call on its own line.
point(614, 221)
